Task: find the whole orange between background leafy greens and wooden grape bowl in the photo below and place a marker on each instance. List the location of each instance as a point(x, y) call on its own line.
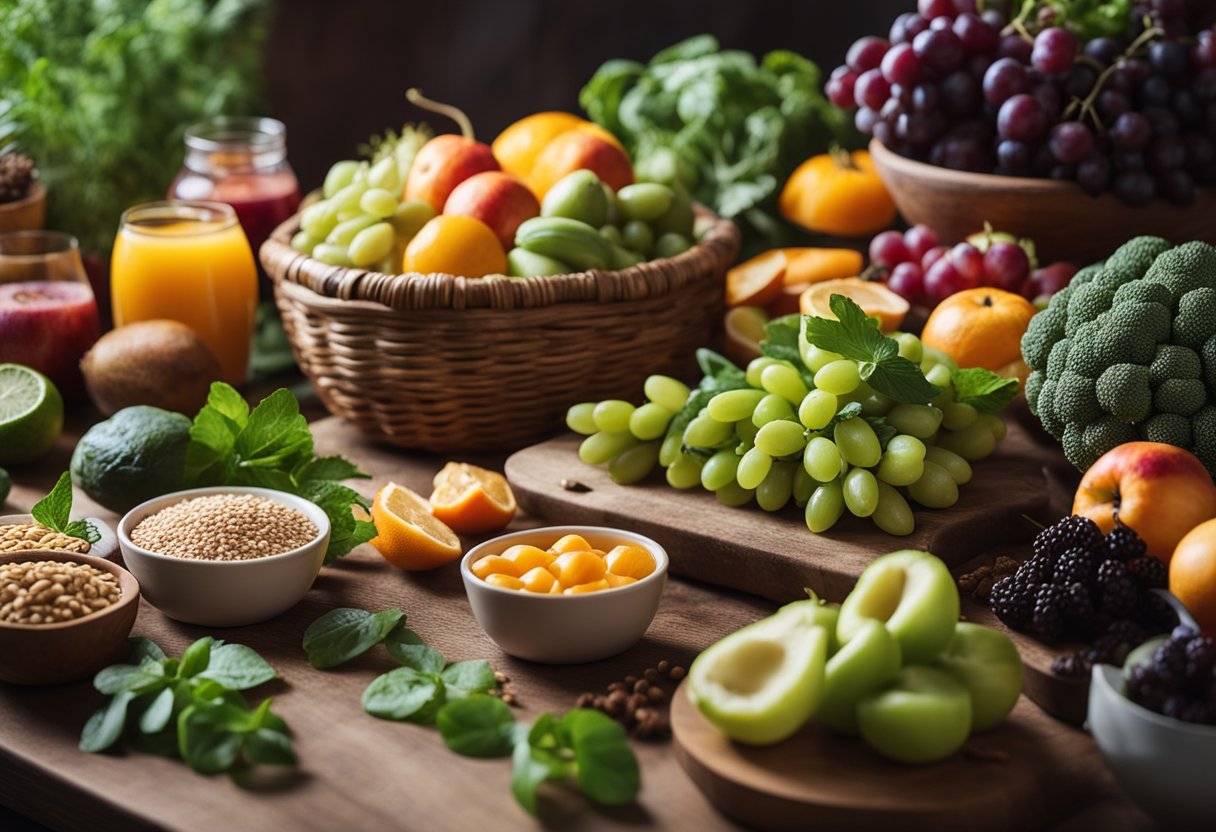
point(837, 194)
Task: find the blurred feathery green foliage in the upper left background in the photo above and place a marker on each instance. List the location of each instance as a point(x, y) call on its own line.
point(100, 92)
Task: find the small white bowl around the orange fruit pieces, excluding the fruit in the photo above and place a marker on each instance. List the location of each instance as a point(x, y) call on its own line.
point(566, 629)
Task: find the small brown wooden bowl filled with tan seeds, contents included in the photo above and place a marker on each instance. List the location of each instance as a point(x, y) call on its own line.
point(64, 616)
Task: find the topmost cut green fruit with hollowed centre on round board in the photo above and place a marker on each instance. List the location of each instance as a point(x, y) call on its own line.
point(914, 594)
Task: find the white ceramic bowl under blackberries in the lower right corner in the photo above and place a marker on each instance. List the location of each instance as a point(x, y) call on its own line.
point(1166, 766)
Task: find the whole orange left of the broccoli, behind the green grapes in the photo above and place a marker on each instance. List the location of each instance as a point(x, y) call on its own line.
point(981, 328)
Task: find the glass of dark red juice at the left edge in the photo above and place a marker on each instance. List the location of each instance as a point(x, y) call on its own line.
point(48, 312)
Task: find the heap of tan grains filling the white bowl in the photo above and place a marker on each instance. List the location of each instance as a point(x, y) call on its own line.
point(224, 527)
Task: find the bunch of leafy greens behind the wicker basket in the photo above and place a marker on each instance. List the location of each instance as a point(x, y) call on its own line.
point(720, 123)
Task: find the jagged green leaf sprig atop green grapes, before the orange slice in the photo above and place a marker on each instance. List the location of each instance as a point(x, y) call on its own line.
point(857, 336)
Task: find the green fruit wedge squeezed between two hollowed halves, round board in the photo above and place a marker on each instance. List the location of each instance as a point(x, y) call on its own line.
point(870, 662)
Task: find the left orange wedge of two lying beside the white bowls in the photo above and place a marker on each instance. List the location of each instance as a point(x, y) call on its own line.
point(408, 536)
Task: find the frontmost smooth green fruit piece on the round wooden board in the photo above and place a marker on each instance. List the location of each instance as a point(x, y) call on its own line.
point(925, 717)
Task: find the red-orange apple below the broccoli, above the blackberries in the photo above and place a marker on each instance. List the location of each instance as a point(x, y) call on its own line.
point(1162, 492)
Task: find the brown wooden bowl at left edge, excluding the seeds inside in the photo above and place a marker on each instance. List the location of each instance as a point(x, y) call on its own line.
point(71, 651)
